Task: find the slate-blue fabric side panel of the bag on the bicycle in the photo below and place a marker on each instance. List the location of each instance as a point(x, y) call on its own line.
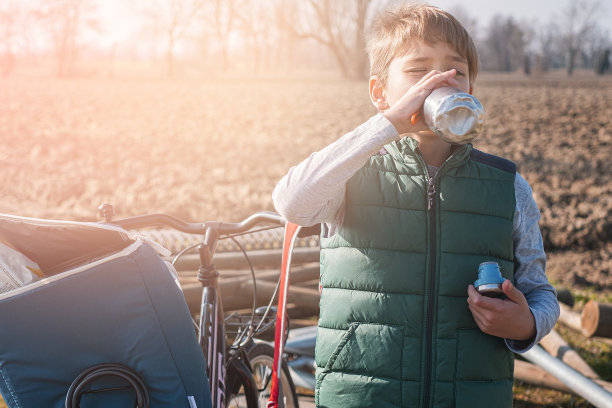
point(128, 311)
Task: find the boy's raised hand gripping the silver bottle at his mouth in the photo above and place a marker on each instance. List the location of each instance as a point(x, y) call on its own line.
point(401, 112)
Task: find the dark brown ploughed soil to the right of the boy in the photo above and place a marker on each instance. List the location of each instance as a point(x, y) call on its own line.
point(559, 133)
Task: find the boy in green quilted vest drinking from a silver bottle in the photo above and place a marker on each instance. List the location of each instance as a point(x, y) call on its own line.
point(407, 218)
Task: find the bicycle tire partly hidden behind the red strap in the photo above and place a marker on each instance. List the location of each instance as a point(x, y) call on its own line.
point(261, 356)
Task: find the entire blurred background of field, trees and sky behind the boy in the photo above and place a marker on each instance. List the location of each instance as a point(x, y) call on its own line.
point(197, 108)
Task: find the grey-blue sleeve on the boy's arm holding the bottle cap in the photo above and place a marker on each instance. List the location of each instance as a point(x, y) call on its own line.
point(530, 267)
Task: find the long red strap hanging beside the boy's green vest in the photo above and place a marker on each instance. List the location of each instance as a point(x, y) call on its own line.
point(291, 233)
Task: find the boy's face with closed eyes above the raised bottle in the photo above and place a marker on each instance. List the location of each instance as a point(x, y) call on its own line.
point(406, 70)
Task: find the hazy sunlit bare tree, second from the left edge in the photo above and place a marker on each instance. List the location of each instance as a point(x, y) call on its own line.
point(65, 21)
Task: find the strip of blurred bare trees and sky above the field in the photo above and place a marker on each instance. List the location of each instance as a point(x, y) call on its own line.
point(281, 37)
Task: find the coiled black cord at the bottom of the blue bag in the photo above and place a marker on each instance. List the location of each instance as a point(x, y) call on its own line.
point(76, 390)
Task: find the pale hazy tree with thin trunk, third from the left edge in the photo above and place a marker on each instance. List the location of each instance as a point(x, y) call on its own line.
point(170, 19)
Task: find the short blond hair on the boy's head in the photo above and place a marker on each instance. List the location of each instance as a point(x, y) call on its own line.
point(393, 30)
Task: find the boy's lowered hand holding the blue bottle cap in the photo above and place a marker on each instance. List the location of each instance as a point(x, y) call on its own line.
point(508, 318)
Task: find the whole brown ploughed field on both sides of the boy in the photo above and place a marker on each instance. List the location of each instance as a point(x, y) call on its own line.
point(214, 149)
